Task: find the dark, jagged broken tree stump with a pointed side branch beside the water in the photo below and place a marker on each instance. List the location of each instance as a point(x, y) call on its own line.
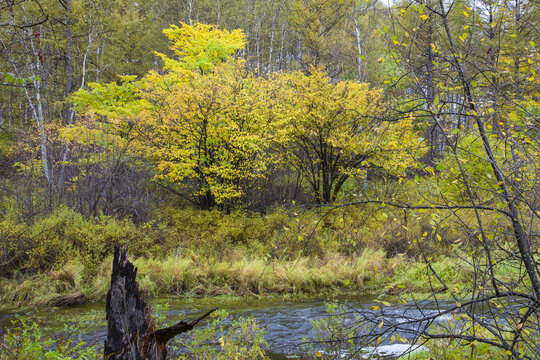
point(131, 332)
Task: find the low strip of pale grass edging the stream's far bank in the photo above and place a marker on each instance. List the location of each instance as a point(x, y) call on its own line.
point(198, 275)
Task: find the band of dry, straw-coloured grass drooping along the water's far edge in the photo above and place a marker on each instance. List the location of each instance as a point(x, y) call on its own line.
point(197, 275)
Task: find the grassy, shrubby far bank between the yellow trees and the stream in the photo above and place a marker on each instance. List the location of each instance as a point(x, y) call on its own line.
point(196, 253)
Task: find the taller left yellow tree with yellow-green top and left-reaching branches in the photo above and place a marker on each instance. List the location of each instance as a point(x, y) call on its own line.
point(201, 121)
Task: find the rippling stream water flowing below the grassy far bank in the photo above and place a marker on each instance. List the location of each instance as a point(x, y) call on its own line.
point(287, 322)
